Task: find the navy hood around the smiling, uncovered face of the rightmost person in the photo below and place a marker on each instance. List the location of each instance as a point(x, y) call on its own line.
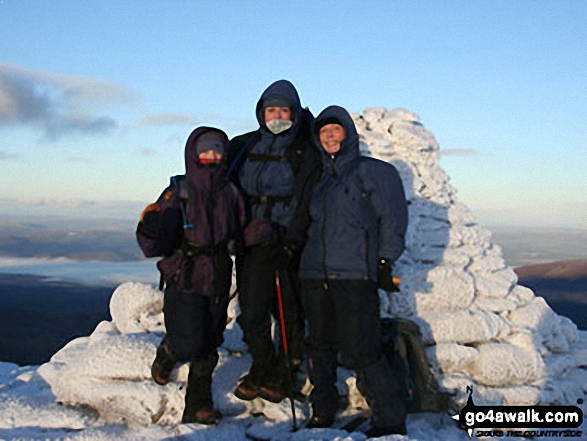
point(338, 115)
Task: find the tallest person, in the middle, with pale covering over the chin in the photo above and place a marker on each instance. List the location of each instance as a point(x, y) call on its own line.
point(267, 165)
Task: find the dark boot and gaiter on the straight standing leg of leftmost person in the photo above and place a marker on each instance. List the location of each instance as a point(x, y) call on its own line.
point(198, 398)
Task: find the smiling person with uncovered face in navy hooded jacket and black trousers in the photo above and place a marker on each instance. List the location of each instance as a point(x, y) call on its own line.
point(357, 219)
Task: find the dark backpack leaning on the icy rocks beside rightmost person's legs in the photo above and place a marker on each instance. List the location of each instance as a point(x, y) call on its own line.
point(404, 349)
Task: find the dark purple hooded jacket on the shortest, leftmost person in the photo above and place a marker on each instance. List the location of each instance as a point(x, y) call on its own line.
point(193, 232)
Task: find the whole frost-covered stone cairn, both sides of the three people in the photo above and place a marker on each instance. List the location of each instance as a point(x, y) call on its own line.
point(481, 328)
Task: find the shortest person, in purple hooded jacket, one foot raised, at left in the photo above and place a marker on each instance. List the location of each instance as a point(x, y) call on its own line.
point(192, 225)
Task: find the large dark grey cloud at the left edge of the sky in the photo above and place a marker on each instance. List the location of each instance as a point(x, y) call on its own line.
point(60, 105)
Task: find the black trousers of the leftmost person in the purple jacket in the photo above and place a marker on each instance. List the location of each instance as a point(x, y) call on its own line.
point(194, 323)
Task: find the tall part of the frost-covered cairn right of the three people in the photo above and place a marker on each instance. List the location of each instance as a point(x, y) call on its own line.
point(481, 327)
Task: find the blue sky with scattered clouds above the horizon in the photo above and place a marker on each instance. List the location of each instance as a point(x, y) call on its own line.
point(97, 98)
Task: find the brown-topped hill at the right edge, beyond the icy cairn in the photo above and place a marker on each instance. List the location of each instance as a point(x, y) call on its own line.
point(563, 284)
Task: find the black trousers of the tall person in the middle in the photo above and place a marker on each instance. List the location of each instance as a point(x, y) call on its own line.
point(258, 305)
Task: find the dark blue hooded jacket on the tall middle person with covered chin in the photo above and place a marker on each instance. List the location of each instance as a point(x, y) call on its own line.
point(267, 170)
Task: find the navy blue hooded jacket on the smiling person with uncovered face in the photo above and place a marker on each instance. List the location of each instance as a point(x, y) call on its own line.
point(357, 212)
